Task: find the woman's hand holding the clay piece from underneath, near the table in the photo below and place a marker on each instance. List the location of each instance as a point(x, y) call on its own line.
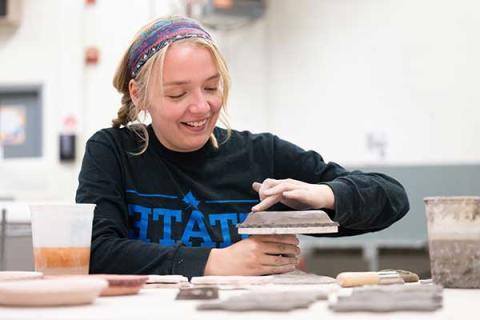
point(256, 255)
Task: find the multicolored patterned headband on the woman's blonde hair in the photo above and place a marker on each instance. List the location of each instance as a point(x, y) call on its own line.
point(158, 35)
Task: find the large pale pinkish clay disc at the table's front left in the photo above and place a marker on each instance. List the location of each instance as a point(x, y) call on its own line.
point(51, 292)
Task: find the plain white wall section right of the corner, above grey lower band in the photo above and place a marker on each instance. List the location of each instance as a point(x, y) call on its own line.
point(405, 71)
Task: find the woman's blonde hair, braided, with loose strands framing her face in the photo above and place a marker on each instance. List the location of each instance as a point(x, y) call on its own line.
point(129, 114)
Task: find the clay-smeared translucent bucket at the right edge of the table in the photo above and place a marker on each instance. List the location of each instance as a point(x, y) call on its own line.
point(454, 240)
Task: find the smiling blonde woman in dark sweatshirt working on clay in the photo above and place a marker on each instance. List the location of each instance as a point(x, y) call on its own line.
point(170, 194)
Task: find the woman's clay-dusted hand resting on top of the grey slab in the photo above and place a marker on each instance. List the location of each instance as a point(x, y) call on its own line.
point(294, 194)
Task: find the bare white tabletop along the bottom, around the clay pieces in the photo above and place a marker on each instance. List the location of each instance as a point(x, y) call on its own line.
point(160, 304)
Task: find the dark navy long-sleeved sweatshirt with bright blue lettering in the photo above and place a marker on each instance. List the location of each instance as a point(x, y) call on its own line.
point(161, 212)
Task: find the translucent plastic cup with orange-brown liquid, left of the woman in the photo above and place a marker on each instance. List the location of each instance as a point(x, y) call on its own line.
point(61, 235)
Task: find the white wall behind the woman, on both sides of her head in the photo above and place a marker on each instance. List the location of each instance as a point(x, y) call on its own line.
point(321, 73)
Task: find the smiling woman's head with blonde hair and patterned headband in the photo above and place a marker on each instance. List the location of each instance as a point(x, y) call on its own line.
point(180, 69)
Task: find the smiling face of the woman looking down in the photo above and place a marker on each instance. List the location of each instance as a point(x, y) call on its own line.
point(185, 113)
